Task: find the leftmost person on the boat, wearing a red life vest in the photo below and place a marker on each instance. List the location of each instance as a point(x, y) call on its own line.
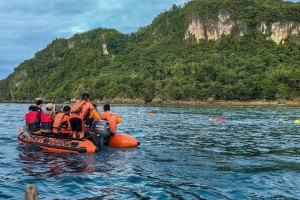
point(32, 121)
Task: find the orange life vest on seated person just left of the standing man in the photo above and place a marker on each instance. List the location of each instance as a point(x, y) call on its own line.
point(61, 124)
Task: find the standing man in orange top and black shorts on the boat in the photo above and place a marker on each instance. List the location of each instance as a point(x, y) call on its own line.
point(80, 111)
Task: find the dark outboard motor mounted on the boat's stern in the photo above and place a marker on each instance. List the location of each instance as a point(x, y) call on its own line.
point(100, 130)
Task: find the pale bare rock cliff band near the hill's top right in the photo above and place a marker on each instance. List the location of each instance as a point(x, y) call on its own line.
point(214, 29)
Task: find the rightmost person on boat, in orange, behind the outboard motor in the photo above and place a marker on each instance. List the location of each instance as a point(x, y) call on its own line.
point(112, 119)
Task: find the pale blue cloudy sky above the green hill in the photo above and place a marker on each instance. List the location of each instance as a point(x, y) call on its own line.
point(28, 26)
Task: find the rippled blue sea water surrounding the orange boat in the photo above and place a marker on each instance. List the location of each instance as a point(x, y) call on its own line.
point(182, 156)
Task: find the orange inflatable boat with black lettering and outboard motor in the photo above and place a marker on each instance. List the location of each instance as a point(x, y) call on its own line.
point(95, 141)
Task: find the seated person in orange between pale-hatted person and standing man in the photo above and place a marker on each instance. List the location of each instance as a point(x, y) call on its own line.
point(61, 124)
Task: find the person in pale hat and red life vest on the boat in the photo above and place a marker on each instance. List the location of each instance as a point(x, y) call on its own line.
point(47, 118)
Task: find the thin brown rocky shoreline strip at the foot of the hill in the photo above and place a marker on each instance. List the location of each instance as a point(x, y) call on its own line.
point(223, 103)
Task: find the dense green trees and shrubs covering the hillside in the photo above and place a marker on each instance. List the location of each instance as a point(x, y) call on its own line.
point(156, 61)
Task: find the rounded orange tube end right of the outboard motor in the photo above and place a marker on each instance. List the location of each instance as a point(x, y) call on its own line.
point(122, 140)
